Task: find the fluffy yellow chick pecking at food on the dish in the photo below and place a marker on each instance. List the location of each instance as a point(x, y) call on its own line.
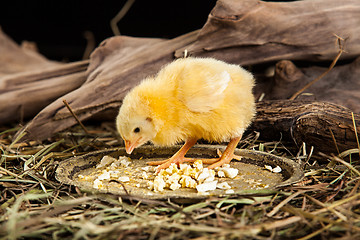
point(189, 99)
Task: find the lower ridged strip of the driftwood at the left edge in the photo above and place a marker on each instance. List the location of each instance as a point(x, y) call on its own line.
point(23, 95)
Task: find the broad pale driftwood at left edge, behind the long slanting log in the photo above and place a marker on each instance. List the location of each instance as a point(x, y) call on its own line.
point(29, 82)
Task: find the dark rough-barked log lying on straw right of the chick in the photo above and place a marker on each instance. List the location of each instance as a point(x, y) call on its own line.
point(326, 126)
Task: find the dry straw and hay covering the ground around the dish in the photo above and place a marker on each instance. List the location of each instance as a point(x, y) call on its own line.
point(325, 205)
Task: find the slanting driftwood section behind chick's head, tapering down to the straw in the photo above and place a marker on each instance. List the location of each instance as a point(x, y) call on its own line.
point(115, 67)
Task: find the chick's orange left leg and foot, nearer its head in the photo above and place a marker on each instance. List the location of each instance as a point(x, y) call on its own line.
point(178, 157)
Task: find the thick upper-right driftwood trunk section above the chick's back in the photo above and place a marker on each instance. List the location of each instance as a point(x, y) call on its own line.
point(250, 32)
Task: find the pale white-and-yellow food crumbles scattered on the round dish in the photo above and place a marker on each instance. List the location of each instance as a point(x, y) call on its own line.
point(193, 176)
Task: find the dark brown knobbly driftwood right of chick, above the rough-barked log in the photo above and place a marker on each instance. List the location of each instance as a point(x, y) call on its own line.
point(341, 85)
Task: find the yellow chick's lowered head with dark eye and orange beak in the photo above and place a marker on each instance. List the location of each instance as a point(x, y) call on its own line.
point(135, 123)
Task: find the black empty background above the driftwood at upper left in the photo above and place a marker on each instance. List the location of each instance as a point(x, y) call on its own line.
point(57, 27)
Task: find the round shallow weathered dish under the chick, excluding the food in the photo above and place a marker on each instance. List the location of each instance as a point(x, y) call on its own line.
point(252, 173)
